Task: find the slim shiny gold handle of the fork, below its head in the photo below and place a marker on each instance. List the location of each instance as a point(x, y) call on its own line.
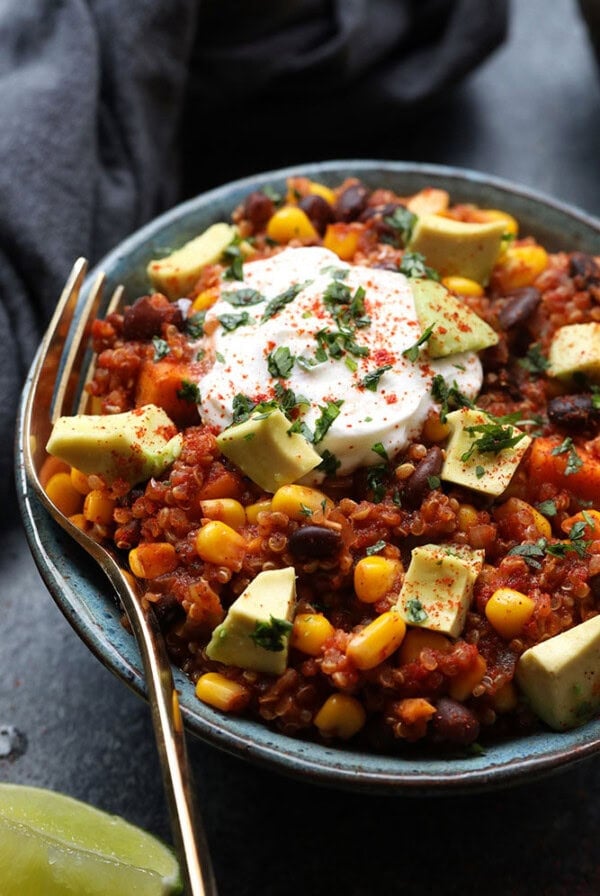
point(188, 833)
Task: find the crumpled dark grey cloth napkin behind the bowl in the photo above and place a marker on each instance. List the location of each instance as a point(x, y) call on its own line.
point(111, 111)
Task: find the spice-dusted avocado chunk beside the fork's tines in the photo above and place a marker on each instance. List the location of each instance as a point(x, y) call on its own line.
point(132, 446)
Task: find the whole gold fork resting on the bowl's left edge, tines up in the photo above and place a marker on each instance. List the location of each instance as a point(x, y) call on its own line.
point(55, 390)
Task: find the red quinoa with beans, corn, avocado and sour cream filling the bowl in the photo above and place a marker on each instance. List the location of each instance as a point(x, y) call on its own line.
point(349, 446)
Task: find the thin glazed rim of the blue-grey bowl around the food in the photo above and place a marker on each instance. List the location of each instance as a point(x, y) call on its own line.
point(66, 571)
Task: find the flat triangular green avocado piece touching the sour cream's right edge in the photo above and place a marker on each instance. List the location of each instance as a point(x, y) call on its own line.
point(455, 328)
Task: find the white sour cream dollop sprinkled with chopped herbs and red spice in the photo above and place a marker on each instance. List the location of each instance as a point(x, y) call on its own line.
point(383, 397)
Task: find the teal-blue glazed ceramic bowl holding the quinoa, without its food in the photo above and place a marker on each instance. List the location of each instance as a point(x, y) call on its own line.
point(84, 596)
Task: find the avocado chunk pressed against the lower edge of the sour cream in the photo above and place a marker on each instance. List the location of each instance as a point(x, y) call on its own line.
point(267, 452)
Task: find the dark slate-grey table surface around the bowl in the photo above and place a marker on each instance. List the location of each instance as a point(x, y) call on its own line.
point(531, 114)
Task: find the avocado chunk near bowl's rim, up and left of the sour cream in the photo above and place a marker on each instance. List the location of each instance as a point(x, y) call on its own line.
point(176, 274)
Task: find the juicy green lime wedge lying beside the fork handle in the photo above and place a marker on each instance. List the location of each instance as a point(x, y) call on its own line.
point(54, 845)
